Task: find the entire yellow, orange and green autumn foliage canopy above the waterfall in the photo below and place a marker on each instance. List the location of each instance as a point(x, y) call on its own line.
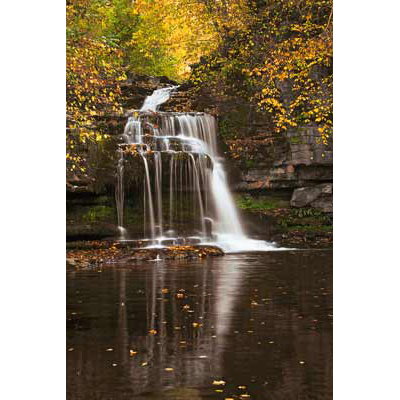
point(277, 54)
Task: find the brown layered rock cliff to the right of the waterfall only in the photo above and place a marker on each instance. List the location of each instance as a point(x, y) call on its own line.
point(261, 160)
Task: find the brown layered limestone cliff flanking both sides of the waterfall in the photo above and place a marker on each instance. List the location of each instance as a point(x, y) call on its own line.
point(258, 160)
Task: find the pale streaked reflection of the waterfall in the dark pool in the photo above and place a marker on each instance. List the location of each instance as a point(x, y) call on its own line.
point(186, 331)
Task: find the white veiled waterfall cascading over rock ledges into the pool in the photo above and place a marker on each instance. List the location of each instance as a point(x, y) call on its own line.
point(197, 181)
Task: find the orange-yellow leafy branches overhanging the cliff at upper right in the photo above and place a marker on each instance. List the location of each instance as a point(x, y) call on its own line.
point(280, 60)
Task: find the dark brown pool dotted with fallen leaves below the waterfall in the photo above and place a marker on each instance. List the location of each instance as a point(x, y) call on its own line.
point(251, 326)
